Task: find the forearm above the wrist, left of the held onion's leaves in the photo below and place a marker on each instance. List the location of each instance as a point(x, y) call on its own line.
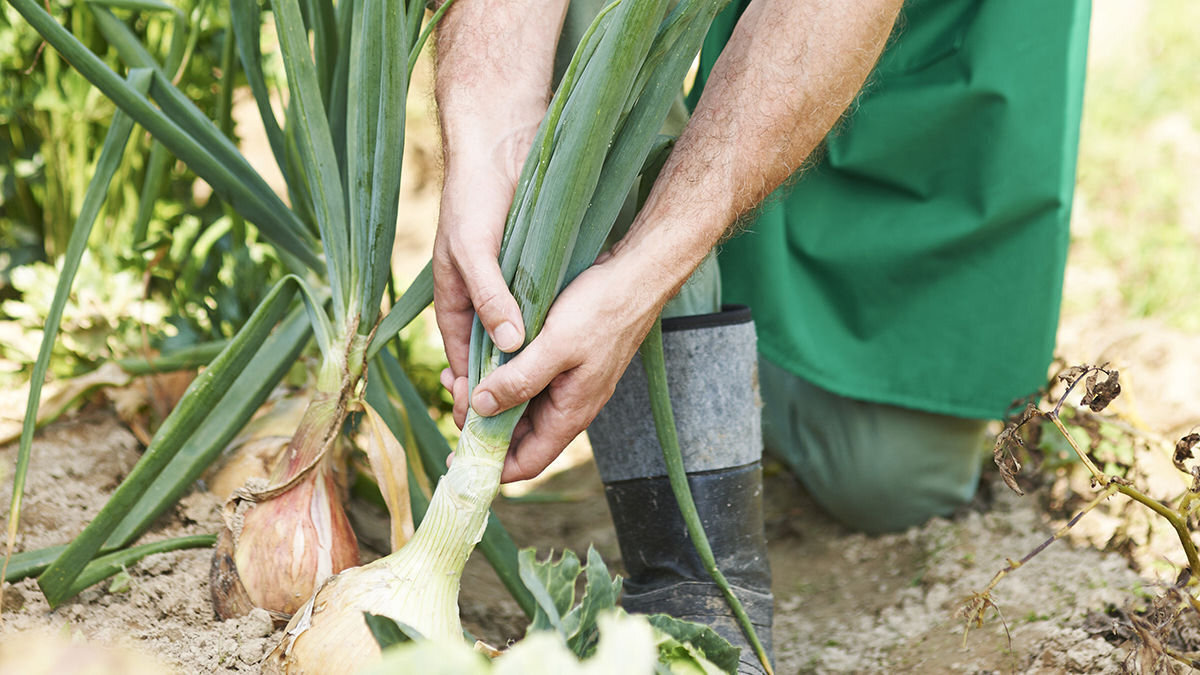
point(495, 62)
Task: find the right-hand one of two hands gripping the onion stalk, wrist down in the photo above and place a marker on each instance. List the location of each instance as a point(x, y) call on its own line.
point(572, 369)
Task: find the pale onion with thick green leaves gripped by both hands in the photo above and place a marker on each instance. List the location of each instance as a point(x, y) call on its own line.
point(611, 104)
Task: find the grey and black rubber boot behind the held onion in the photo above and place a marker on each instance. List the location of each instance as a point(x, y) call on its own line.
point(712, 374)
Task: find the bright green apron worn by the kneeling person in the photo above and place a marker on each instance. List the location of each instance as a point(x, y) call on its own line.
point(920, 264)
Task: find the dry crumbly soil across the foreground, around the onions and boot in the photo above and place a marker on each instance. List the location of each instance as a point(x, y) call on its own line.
point(845, 602)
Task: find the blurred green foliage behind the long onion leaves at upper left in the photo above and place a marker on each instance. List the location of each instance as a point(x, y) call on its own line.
point(202, 262)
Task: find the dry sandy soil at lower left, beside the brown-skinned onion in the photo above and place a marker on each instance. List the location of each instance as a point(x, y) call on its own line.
point(164, 608)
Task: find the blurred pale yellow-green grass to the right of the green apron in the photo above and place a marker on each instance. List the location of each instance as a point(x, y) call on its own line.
point(1139, 158)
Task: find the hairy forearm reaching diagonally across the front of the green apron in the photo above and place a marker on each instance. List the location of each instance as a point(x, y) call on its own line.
point(787, 76)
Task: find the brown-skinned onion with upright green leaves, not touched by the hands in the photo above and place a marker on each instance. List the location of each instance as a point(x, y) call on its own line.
point(295, 534)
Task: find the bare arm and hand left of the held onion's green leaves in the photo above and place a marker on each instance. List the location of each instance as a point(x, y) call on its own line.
point(493, 86)
